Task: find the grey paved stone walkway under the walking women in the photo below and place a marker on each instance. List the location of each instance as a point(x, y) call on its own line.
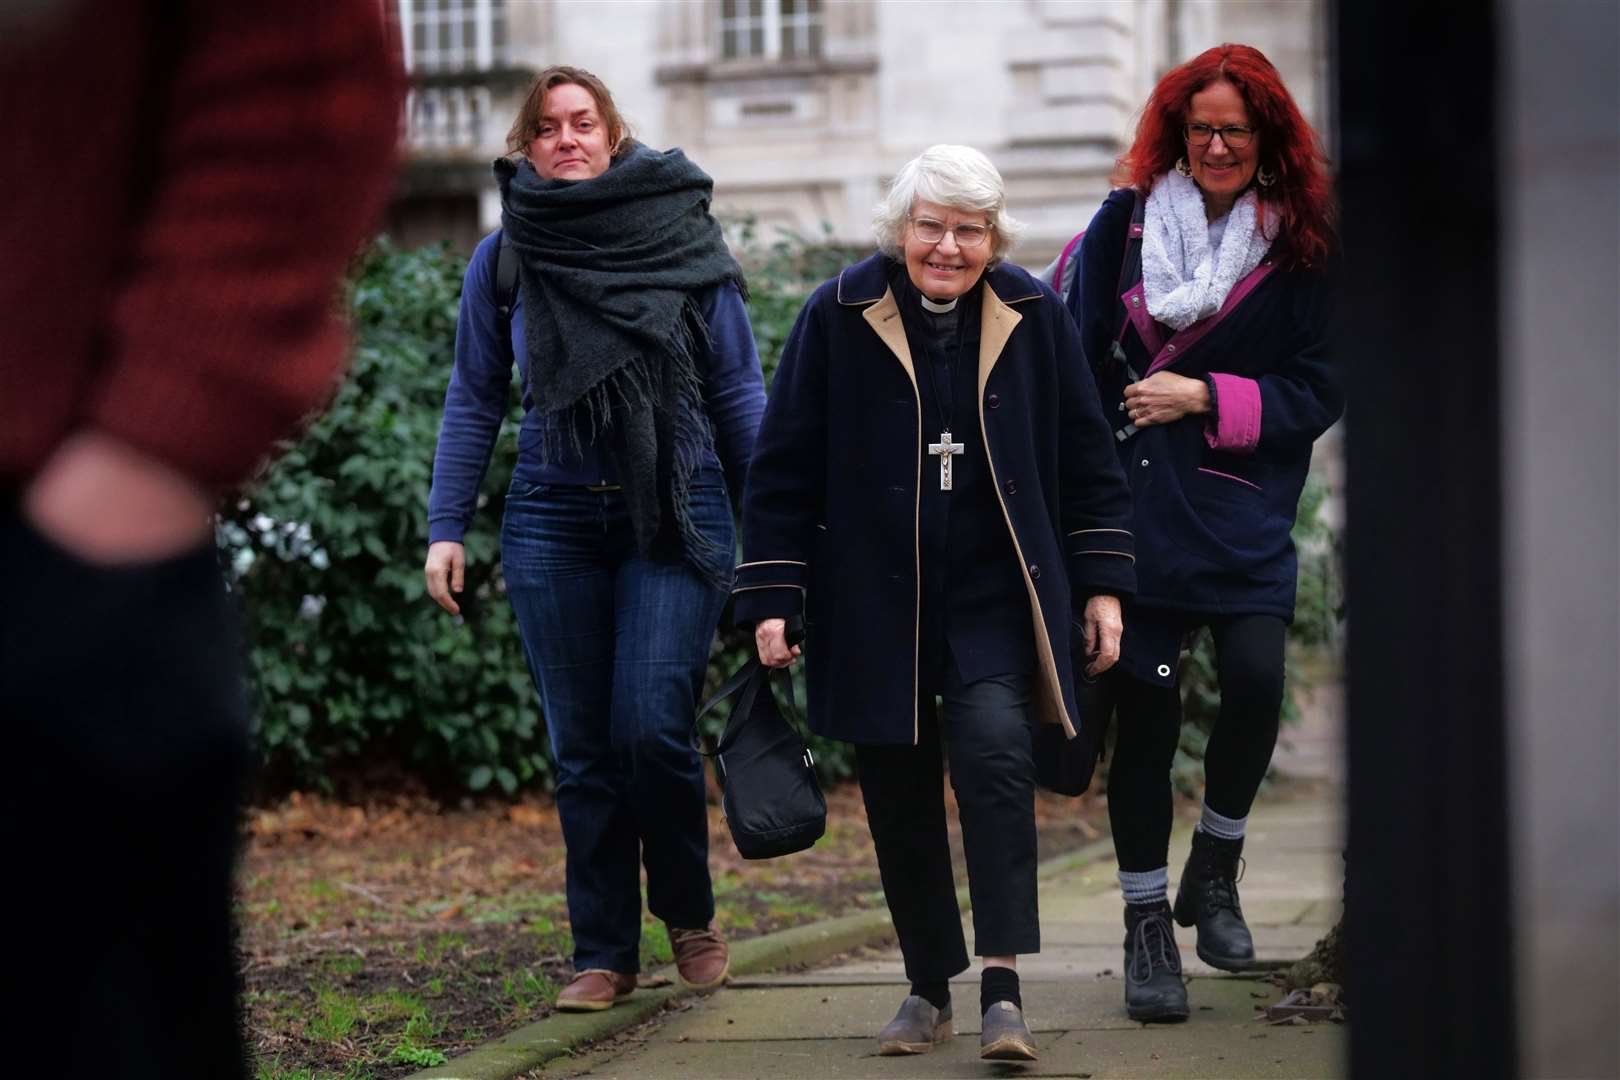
point(822, 1023)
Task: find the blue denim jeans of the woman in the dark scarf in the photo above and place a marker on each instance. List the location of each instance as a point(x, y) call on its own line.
point(618, 647)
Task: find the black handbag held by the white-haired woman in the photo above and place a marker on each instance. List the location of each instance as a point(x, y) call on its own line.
point(769, 791)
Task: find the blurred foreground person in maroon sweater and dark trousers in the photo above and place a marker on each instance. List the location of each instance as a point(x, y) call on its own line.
point(184, 185)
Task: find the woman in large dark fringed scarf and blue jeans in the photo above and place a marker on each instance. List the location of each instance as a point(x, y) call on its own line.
point(642, 394)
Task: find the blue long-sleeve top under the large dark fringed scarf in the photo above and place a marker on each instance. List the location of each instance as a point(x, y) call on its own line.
point(482, 380)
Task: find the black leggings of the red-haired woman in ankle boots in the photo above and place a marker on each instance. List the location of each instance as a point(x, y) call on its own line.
point(1148, 723)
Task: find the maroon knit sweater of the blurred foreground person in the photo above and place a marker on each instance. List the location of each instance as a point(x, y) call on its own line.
point(182, 184)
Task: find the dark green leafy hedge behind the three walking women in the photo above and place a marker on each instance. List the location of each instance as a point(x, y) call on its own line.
point(352, 666)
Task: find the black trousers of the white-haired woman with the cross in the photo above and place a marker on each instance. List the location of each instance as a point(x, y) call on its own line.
point(986, 729)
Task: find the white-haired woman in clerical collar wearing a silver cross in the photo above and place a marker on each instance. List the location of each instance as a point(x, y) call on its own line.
point(936, 493)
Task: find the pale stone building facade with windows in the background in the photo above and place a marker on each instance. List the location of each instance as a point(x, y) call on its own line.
point(803, 109)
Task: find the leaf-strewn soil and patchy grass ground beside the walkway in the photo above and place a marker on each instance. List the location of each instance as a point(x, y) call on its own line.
point(377, 938)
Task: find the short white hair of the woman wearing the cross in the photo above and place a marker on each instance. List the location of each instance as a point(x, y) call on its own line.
point(958, 177)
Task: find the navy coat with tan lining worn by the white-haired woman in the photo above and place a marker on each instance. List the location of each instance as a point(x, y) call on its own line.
point(830, 514)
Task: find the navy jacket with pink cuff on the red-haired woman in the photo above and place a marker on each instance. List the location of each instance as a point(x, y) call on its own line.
point(1216, 498)
